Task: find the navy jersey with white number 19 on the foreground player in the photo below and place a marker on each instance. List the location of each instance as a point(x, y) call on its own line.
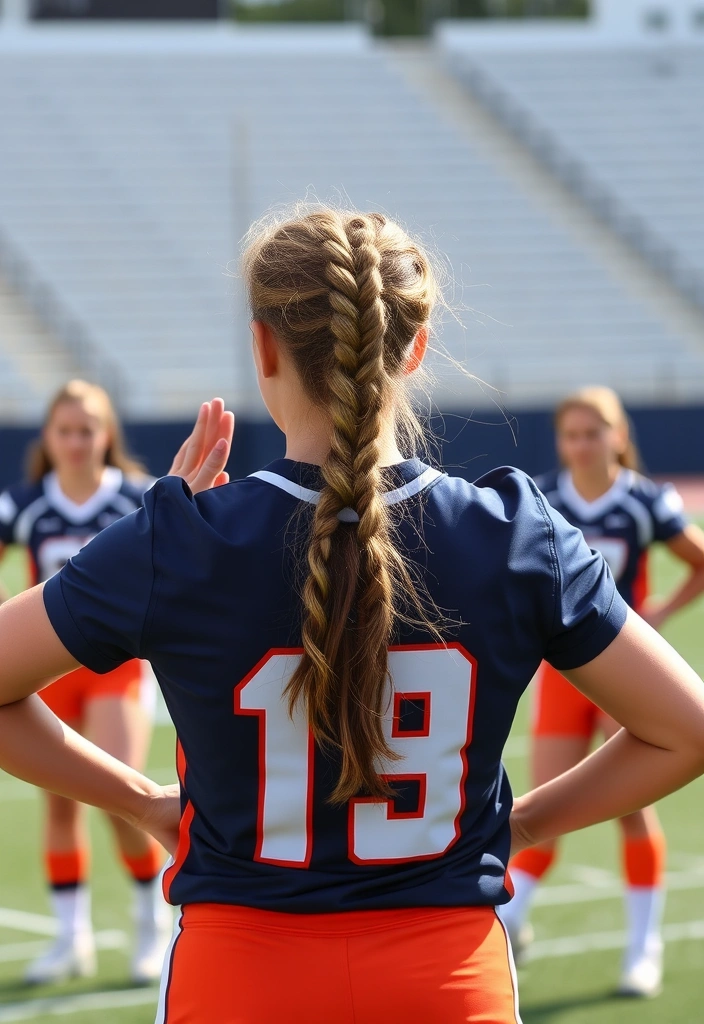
point(207, 588)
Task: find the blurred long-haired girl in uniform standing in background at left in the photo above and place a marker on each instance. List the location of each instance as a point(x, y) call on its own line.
point(80, 481)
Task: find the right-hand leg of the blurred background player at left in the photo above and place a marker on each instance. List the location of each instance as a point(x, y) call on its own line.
point(119, 726)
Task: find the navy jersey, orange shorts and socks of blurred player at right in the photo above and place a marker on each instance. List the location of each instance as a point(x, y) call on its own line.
point(622, 525)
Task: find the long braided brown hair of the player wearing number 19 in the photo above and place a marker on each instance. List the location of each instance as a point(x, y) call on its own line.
point(347, 294)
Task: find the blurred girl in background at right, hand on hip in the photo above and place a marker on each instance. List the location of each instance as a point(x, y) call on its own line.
point(622, 514)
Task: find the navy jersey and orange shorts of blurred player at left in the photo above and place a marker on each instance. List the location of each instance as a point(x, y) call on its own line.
point(52, 529)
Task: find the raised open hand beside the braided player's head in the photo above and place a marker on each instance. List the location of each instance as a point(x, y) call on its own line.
point(202, 458)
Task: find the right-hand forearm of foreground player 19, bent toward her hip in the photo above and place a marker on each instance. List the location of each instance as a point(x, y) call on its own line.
point(622, 777)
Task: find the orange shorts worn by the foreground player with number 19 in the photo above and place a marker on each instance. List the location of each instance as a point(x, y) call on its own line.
point(233, 965)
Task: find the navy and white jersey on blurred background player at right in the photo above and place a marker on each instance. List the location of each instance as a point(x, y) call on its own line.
point(623, 524)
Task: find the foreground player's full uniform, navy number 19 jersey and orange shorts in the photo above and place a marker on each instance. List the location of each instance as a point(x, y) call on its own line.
point(284, 893)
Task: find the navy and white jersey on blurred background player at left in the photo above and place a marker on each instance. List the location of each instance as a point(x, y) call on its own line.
point(53, 528)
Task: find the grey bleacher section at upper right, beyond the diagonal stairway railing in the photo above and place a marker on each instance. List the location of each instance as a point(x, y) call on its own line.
point(624, 127)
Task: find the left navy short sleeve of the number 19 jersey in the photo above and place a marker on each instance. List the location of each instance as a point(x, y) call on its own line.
point(99, 604)
